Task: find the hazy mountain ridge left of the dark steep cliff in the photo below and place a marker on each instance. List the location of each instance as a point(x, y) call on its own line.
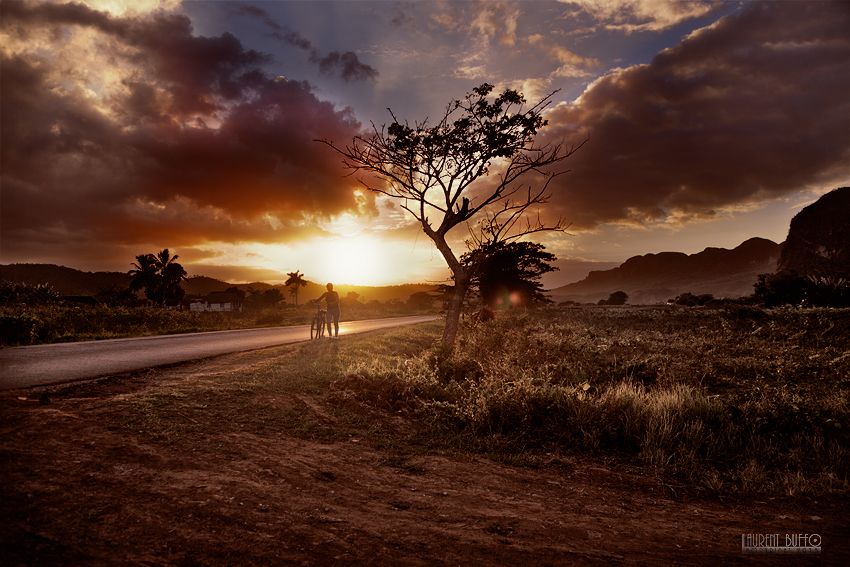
point(655, 278)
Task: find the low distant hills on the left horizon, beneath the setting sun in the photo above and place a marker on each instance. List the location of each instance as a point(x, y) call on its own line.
point(68, 281)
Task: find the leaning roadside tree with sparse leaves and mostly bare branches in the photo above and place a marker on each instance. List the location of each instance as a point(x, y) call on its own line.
point(441, 175)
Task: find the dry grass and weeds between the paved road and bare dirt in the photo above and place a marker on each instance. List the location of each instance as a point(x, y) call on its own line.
point(726, 401)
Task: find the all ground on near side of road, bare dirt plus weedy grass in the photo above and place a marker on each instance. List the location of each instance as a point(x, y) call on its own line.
point(545, 436)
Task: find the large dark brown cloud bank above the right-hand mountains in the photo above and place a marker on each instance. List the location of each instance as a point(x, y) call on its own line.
point(753, 108)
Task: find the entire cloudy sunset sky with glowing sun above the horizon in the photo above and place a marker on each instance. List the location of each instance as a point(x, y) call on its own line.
point(129, 126)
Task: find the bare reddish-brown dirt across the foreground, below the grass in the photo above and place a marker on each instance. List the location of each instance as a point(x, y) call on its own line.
point(76, 490)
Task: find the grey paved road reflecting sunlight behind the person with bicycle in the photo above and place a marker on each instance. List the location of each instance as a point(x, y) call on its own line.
point(40, 365)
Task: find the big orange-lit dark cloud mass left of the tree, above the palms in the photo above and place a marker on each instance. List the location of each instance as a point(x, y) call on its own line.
point(191, 142)
